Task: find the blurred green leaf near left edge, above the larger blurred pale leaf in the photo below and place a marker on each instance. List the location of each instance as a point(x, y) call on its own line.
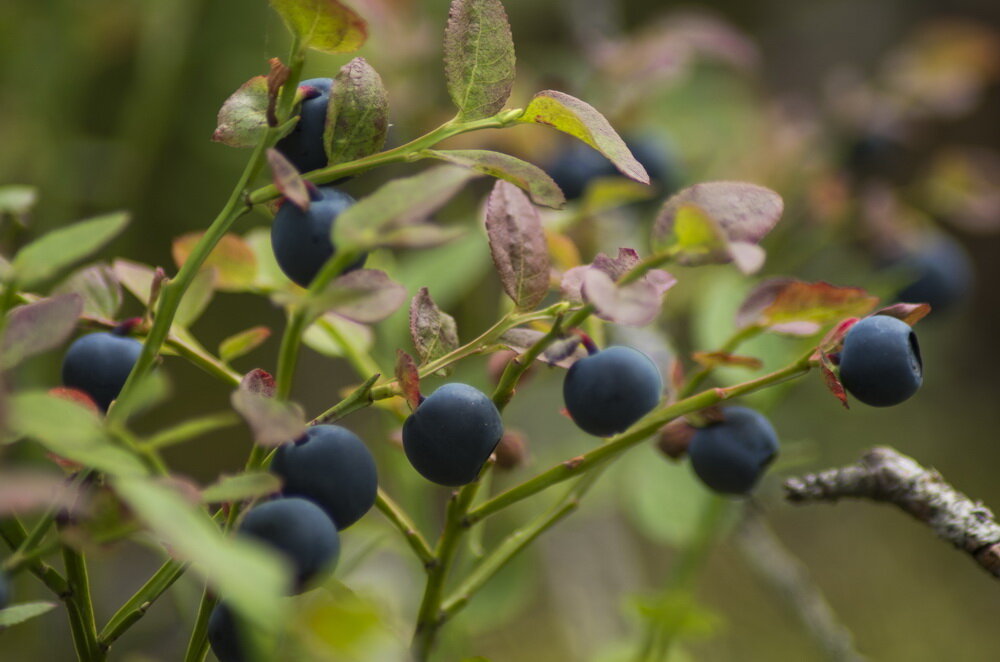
point(69, 430)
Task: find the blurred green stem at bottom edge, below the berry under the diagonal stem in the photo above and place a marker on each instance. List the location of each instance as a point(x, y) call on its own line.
point(662, 632)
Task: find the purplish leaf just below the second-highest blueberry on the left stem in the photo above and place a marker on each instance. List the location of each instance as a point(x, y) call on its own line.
point(365, 295)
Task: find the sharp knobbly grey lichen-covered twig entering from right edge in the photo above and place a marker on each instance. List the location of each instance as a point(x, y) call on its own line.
point(884, 474)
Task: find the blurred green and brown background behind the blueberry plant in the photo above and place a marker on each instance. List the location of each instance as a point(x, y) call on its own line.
point(109, 104)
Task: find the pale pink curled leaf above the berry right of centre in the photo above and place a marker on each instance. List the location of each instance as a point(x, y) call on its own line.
point(635, 304)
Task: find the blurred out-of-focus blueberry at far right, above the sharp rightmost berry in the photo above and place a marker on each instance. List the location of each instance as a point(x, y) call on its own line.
point(941, 272)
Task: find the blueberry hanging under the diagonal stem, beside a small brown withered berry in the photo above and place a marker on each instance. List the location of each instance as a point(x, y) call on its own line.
point(730, 456)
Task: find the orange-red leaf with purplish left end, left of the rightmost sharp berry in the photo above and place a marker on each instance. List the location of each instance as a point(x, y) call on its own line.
point(794, 307)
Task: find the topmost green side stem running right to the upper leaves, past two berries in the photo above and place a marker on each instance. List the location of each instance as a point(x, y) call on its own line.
point(407, 152)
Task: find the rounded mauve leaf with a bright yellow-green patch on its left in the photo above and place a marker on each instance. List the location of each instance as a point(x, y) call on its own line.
point(718, 222)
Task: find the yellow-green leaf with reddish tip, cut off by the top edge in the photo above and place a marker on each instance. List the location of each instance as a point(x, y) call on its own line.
point(323, 25)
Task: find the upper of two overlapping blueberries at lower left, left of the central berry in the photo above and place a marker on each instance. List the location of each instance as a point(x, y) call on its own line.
point(331, 467)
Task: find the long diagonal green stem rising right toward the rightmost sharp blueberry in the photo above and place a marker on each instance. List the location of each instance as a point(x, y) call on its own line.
point(642, 429)
